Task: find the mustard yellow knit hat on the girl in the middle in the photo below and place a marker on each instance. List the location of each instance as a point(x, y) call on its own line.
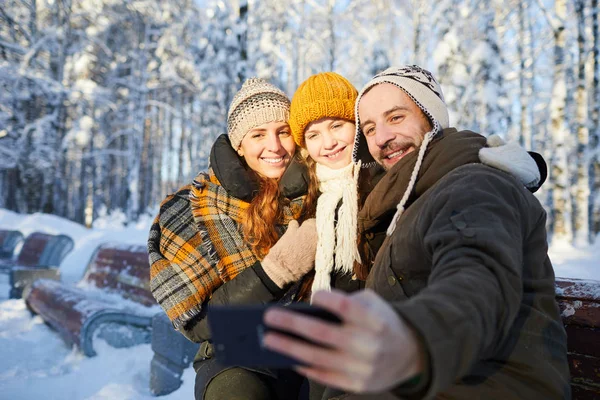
point(324, 95)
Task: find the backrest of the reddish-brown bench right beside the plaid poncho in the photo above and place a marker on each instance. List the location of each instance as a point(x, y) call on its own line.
point(123, 269)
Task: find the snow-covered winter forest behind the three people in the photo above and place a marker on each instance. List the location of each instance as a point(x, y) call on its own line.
point(108, 105)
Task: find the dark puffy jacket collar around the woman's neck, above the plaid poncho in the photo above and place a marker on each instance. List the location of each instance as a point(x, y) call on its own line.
point(240, 182)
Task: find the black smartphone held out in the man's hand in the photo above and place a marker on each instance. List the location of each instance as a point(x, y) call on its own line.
point(238, 331)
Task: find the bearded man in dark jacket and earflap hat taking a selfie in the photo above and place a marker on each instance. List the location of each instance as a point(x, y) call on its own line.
point(462, 301)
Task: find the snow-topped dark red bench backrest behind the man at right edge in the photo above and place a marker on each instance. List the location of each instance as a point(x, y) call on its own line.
point(579, 302)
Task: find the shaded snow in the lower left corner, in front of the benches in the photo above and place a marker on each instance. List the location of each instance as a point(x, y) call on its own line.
point(36, 364)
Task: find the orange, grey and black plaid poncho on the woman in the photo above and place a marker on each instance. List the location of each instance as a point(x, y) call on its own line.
point(196, 244)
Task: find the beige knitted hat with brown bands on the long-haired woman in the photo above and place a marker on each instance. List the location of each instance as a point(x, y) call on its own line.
point(258, 102)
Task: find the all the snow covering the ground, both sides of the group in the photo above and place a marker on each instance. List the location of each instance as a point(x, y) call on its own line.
point(35, 363)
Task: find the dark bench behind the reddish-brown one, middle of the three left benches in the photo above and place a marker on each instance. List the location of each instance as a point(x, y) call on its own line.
point(40, 257)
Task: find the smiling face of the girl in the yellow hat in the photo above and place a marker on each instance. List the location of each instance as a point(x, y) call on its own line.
point(329, 141)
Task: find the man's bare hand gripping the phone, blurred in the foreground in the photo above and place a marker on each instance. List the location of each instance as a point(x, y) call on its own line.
point(373, 350)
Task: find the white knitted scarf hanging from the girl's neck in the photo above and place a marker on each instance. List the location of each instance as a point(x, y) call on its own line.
point(336, 238)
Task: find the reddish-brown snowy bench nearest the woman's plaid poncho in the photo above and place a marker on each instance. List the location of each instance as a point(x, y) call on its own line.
point(112, 301)
